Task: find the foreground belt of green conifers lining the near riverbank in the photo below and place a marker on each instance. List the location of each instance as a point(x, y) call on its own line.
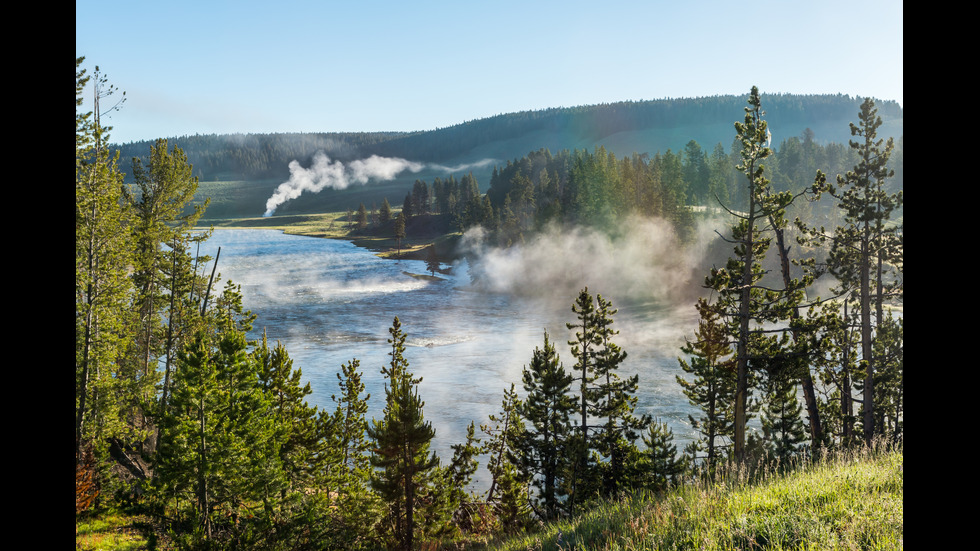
point(178, 411)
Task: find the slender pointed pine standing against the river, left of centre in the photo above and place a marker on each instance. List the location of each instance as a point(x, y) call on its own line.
point(404, 466)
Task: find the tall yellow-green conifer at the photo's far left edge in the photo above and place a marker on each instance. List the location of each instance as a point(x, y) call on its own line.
point(103, 258)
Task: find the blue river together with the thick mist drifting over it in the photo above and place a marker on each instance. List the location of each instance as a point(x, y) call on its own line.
point(329, 302)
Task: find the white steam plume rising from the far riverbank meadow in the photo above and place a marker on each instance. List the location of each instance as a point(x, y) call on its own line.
point(324, 173)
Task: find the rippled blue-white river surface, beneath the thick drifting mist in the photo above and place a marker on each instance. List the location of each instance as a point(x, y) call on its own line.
point(329, 302)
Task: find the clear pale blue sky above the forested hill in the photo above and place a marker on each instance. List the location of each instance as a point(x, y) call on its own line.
point(243, 66)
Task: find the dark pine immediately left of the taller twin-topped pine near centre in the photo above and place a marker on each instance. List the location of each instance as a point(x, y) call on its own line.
point(546, 410)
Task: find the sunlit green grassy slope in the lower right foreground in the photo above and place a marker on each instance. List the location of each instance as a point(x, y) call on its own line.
point(853, 501)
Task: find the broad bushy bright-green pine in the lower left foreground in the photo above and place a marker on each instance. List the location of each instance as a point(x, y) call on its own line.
point(218, 446)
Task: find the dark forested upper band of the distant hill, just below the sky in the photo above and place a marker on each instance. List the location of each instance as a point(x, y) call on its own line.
point(267, 156)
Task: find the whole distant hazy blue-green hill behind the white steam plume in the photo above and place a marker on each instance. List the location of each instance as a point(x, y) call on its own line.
point(240, 172)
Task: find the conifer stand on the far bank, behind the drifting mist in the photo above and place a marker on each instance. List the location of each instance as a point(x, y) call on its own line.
point(597, 188)
